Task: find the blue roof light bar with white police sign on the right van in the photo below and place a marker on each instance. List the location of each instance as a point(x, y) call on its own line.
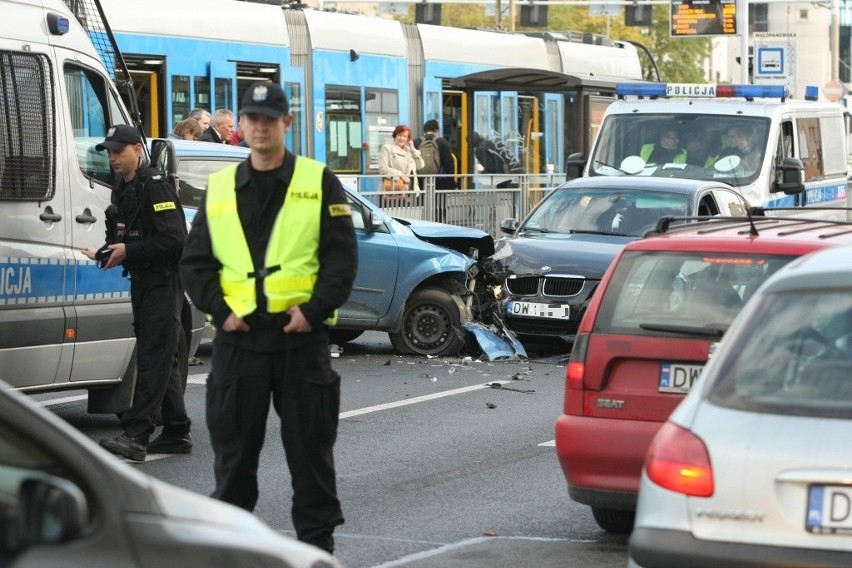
point(688, 90)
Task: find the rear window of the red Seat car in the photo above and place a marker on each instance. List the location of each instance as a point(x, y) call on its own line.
point(694, 293)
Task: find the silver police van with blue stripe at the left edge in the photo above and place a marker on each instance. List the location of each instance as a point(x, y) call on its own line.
point(64, 322)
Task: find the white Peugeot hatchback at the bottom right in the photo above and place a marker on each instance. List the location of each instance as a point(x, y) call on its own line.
point(754, 468)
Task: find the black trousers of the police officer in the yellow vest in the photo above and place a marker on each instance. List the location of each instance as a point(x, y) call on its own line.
point(305, 392)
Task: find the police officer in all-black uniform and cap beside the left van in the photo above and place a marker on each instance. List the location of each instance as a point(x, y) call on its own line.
point(146, 233)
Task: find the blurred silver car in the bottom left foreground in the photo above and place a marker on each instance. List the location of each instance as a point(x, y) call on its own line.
point(64, 501)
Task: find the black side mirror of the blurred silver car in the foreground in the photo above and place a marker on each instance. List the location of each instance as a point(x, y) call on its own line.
point(49, 510)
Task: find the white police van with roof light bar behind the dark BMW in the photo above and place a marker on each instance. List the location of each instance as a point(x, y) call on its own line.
point(777, 151)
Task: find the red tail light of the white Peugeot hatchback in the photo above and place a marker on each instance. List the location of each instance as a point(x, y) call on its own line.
point(678, 460)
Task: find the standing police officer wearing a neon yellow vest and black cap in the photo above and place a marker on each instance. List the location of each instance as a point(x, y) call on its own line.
point(270, 257)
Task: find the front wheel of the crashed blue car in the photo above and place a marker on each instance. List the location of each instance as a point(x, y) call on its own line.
point(429, 324)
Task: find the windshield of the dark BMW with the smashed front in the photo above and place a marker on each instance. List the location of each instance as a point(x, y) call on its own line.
point(604, 210)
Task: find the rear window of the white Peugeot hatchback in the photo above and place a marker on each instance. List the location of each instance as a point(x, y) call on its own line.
point(794, 357)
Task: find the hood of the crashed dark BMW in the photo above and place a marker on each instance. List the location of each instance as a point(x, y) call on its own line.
point(585, 256)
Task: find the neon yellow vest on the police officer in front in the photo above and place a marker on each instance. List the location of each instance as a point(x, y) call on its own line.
point(292, 255)
